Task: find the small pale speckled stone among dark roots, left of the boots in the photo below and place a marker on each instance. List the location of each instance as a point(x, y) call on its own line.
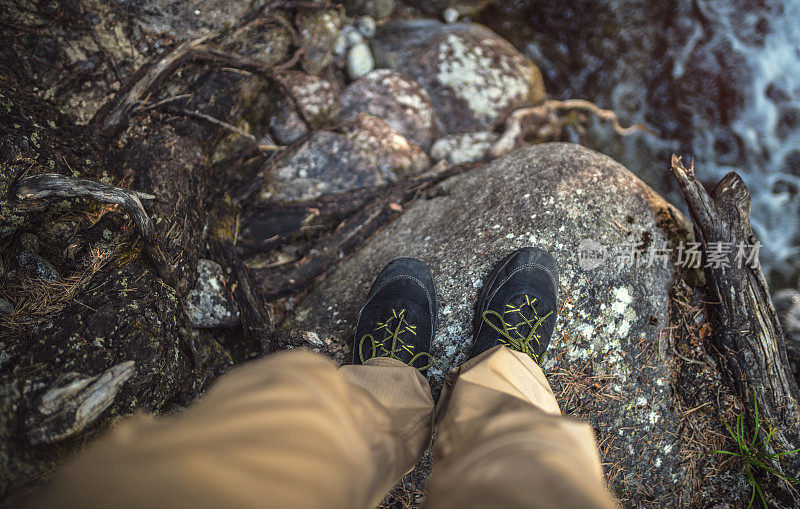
point(207, 305)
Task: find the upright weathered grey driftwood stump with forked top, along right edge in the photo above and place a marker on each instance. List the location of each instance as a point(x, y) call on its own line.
point(748, 340)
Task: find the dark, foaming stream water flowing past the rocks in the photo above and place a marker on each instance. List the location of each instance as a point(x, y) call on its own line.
point(719, 81)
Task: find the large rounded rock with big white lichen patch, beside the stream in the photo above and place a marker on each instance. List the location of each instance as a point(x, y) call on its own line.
point(474, 77)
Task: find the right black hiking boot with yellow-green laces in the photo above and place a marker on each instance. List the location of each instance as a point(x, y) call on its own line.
point(517, 304)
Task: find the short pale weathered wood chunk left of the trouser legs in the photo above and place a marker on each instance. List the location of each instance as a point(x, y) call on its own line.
point(73, 402)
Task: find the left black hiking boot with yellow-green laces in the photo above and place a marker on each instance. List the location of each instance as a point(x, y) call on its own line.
point(398, 319)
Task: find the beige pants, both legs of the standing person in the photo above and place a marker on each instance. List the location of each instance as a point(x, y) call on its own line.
point(293, 431)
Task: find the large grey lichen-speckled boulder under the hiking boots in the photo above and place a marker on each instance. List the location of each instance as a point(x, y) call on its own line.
point(608, 359)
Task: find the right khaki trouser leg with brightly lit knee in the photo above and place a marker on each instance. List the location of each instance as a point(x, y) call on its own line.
point(502, 442)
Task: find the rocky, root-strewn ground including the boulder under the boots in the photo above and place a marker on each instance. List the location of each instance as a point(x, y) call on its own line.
point(280, 154)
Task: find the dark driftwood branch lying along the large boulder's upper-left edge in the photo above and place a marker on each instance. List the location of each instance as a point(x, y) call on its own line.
point(351, 232)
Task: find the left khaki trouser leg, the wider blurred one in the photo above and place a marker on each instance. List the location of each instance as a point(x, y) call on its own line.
point(287, 431)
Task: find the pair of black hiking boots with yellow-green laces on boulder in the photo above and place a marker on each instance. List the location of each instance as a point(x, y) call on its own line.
point(516, 308)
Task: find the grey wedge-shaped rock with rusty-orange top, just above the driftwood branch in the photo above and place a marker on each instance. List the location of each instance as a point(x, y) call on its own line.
point(366, 153)
